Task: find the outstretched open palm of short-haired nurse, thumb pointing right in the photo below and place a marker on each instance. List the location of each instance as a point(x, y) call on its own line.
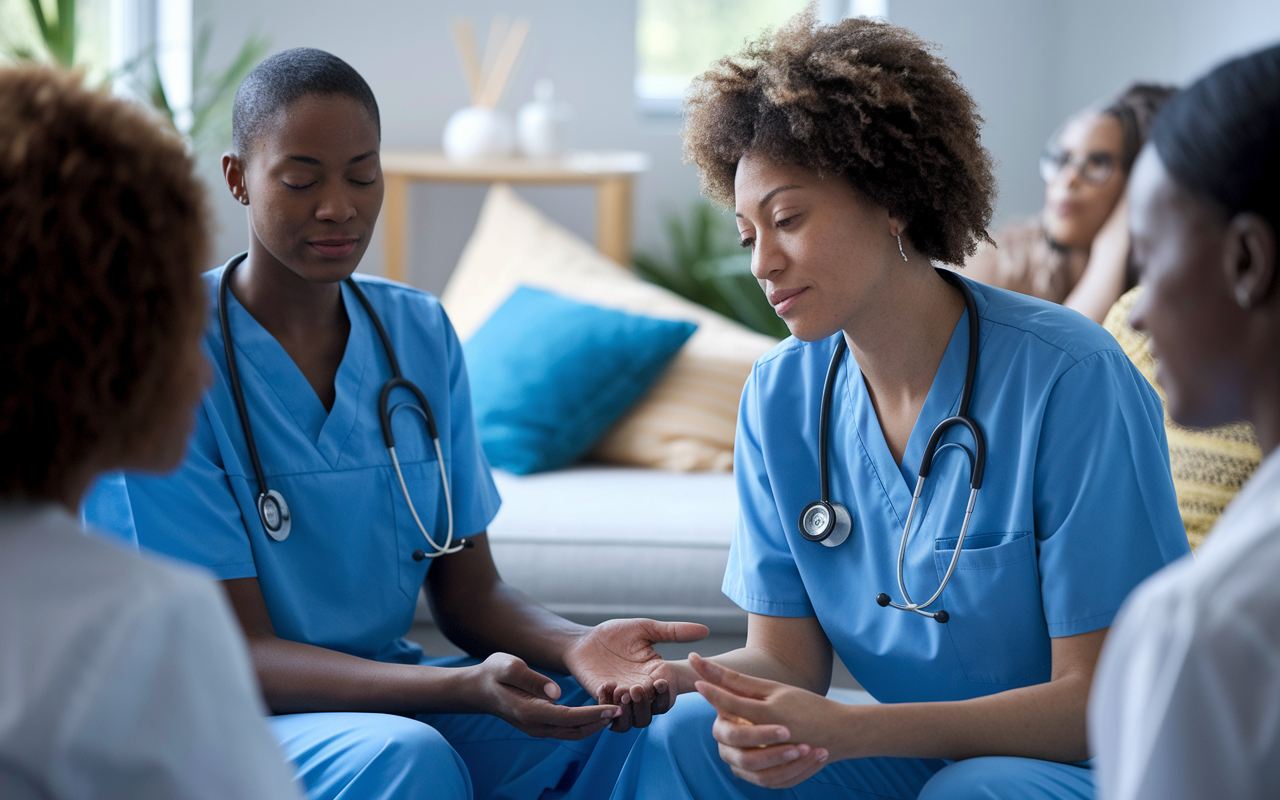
point(618, 665)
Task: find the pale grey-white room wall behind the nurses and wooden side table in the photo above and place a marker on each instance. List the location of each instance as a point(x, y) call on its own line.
point(1028, 63)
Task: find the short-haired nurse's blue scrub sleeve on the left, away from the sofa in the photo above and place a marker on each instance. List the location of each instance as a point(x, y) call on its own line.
point(193, 515)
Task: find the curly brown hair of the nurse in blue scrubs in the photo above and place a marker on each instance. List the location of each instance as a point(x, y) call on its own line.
point(861, 99)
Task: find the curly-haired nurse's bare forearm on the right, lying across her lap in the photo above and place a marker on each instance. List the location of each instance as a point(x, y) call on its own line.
point(1046, 721)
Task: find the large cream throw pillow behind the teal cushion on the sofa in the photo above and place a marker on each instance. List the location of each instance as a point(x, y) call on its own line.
point(687, 420)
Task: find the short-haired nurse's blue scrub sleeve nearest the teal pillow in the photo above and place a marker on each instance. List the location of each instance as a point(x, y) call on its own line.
point(476, 497)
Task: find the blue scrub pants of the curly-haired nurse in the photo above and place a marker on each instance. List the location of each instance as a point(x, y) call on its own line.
point(676, 760)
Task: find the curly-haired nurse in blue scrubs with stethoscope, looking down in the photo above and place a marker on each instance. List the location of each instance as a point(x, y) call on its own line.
point(971, 604)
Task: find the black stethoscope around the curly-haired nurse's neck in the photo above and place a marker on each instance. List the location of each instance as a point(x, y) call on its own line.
point(831, 524)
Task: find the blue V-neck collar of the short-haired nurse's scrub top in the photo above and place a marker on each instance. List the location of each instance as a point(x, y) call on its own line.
point(327, 429)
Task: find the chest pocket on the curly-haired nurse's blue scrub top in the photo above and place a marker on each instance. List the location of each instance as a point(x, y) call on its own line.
point(998, 620)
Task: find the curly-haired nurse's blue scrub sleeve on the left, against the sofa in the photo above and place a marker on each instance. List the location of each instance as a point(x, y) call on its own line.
point(762, 575)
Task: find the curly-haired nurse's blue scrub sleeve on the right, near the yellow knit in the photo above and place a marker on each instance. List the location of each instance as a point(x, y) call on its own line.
point(1107, 514)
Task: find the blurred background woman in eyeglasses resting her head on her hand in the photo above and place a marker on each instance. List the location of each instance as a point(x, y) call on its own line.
point(1076, 253)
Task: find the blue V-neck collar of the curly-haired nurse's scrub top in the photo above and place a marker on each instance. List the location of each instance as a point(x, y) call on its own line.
point(941, 403)
